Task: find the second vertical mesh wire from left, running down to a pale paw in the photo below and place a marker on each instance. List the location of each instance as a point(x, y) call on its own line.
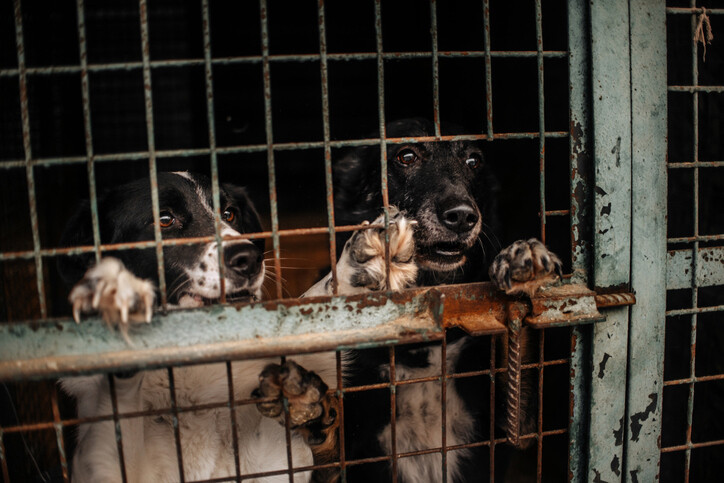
point(85, 94)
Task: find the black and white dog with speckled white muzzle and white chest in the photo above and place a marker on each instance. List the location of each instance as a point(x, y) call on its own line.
point(122, 289)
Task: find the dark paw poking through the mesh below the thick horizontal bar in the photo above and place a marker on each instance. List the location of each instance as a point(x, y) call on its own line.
point(305, 392)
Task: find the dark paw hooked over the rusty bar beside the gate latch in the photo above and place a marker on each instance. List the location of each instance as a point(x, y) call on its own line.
point(525, 266)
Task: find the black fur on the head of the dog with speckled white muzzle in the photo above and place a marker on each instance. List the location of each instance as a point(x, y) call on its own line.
point(125, 215)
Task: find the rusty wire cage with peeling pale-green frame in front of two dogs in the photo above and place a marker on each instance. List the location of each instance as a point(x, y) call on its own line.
point(576, 90)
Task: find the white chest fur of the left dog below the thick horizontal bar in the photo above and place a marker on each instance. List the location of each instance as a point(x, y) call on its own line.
point(149, 444)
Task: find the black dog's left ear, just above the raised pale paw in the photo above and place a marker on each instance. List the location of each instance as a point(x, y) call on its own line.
point(357, 187)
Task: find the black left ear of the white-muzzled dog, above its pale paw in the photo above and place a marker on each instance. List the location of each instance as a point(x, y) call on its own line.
point(78, 232)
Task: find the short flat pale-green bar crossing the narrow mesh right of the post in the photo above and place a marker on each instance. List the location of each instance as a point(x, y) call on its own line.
point(709, 268)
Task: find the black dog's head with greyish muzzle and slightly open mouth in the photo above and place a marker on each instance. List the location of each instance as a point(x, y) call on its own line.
point(446, 186)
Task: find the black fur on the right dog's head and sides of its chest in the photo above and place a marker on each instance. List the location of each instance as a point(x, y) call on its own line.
point(436, 179)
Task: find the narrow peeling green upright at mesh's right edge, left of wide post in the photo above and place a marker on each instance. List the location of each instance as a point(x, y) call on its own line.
point(579, 169)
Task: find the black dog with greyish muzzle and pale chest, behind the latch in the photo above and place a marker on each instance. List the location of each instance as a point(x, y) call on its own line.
point(449, 189)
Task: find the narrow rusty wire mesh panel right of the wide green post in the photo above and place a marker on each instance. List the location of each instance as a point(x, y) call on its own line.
point(692, 438)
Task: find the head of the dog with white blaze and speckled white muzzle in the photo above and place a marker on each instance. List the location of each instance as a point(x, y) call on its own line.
point(185, 208)
